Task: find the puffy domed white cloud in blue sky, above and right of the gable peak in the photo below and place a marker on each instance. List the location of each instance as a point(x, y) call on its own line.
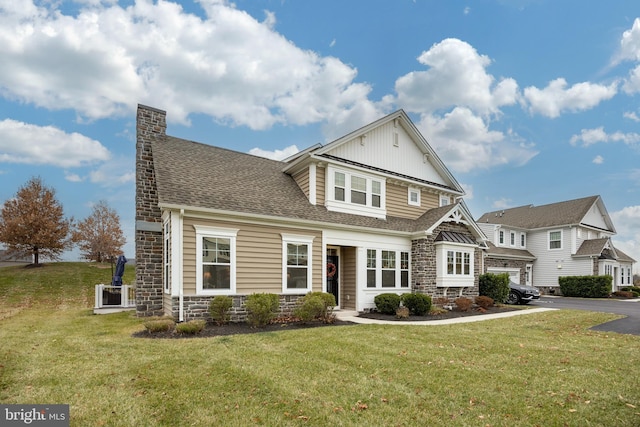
point(456, 76)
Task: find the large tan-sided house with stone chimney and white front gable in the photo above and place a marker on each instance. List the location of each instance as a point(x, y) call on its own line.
point(372, 212)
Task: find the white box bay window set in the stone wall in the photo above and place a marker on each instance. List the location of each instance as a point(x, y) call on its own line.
point(454, 265)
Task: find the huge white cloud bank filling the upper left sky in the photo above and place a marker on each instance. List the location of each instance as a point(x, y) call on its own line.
point(106, 58)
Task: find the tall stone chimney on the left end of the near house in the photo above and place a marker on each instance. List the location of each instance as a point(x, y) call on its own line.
point(150, 126)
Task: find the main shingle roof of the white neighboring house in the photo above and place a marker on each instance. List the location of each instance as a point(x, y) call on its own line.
point(532, 217)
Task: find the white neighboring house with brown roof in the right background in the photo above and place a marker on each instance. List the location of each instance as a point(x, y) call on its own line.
point(538, 244)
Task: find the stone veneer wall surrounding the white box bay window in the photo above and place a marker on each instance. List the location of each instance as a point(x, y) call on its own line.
point(423, 264)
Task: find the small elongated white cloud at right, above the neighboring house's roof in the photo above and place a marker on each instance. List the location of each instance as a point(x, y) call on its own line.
point(557, 98)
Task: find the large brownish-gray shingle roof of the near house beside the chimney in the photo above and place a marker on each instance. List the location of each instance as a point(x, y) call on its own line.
point(191, 174)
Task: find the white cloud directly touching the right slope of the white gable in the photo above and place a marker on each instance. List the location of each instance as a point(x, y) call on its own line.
point(464, 142)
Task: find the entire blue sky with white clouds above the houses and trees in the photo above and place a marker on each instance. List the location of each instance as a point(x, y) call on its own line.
point(526, 102)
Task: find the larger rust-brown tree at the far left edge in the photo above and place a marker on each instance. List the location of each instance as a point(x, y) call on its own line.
point(33, 223)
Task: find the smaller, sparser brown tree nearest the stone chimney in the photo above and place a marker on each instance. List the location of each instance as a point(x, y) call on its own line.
point(99, 236)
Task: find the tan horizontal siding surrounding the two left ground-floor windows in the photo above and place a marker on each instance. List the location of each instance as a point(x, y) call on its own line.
point(258, 255)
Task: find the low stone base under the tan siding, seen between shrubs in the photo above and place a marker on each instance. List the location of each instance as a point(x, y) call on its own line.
point(197, 307)
